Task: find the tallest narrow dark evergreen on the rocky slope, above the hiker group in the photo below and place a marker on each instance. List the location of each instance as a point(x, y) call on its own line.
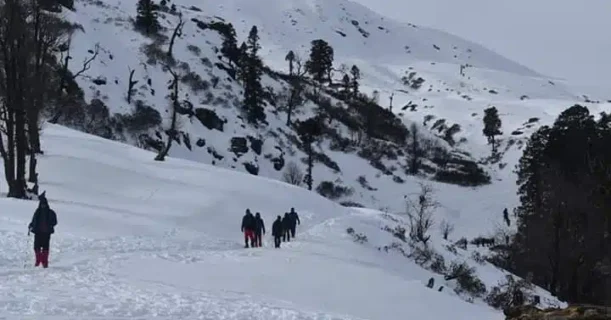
point(252, 71)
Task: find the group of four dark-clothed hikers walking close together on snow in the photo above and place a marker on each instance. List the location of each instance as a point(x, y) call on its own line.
point(283, 228)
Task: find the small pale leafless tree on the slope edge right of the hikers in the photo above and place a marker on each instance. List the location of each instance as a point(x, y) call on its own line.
point(420, 213)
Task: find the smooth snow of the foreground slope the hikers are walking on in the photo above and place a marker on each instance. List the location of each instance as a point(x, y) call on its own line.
point(143, 239)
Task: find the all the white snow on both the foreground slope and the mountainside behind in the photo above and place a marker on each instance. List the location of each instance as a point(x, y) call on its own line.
point(142, 239)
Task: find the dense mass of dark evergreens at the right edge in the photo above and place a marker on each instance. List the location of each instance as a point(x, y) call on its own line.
point(563, 238)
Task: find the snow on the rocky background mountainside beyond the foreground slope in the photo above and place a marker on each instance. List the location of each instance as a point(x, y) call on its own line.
point(384, 50)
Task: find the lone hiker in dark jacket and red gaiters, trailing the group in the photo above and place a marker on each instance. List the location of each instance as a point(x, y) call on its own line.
point(42, 226)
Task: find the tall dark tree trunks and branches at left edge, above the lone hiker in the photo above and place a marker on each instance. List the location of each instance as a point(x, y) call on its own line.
point(31, 39)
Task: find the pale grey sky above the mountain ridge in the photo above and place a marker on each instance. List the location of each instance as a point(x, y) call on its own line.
point(563, 39)
